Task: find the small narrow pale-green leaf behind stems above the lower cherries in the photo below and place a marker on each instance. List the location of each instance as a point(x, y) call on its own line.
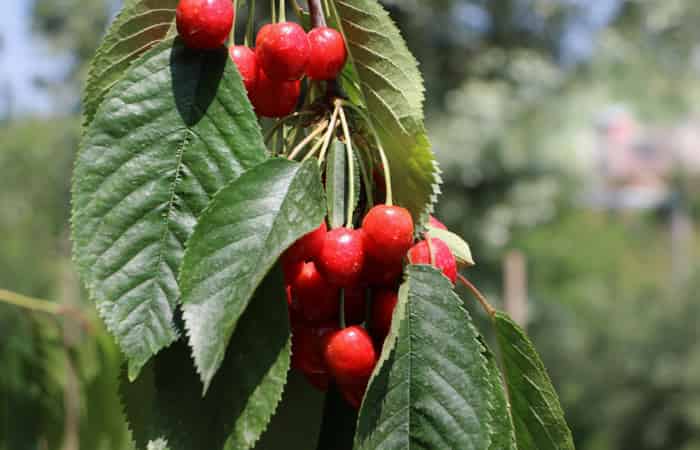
point(336, 180)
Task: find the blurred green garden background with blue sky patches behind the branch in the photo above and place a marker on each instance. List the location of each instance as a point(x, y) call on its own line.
point(569, 136)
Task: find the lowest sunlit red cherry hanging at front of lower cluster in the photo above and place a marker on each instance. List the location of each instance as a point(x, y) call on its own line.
point(350, 355)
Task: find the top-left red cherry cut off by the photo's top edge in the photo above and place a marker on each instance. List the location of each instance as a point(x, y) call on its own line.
point(204, 24)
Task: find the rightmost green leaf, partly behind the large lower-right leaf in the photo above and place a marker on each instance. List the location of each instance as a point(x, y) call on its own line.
point(537, 415)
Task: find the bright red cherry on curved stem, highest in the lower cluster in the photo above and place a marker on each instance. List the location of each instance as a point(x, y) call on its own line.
point(388, 233)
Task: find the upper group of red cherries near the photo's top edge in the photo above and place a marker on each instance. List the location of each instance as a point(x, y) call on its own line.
point(283, 53)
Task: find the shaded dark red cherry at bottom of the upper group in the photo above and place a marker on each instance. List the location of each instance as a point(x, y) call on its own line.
point(274, 99)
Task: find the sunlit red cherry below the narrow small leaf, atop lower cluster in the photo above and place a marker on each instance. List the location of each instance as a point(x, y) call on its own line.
point(342, 256)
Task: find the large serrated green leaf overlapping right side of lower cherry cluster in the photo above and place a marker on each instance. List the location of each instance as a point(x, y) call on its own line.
point(431, 386)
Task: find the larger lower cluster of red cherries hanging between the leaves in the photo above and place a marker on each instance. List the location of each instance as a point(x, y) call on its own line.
point(354, 264)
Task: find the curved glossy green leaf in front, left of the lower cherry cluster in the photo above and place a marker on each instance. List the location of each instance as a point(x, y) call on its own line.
point(237, 240)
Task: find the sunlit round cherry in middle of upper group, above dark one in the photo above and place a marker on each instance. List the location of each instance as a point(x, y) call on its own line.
point(283, 51)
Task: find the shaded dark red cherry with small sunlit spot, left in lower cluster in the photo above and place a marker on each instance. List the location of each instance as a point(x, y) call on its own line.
point(318, 300)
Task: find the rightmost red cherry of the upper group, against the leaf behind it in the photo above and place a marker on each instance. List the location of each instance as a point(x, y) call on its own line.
point(327, 54)
